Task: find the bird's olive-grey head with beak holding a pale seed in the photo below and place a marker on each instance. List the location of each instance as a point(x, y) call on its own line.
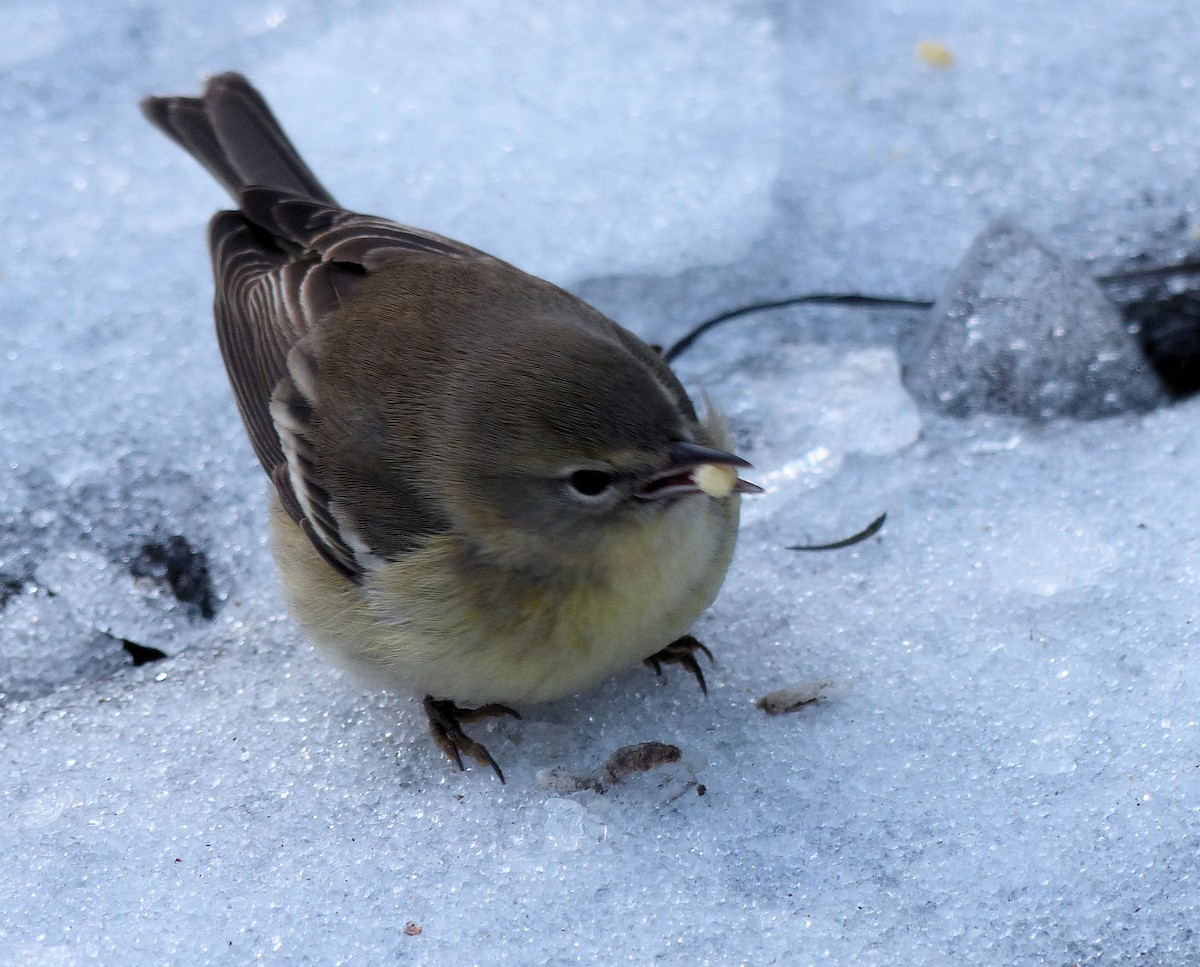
point(591, 441)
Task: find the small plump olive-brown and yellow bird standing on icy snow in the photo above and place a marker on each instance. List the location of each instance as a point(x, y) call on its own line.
point(485, 492)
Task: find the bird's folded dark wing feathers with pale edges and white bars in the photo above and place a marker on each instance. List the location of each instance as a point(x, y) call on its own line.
point(283, 266)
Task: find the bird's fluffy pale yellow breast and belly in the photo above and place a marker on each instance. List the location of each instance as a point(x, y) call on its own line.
point(419, 623)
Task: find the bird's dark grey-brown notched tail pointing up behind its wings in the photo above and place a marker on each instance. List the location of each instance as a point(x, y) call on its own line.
point(233, 134)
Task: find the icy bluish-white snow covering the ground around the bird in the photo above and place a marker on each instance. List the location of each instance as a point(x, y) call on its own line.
point(1004, 766)
